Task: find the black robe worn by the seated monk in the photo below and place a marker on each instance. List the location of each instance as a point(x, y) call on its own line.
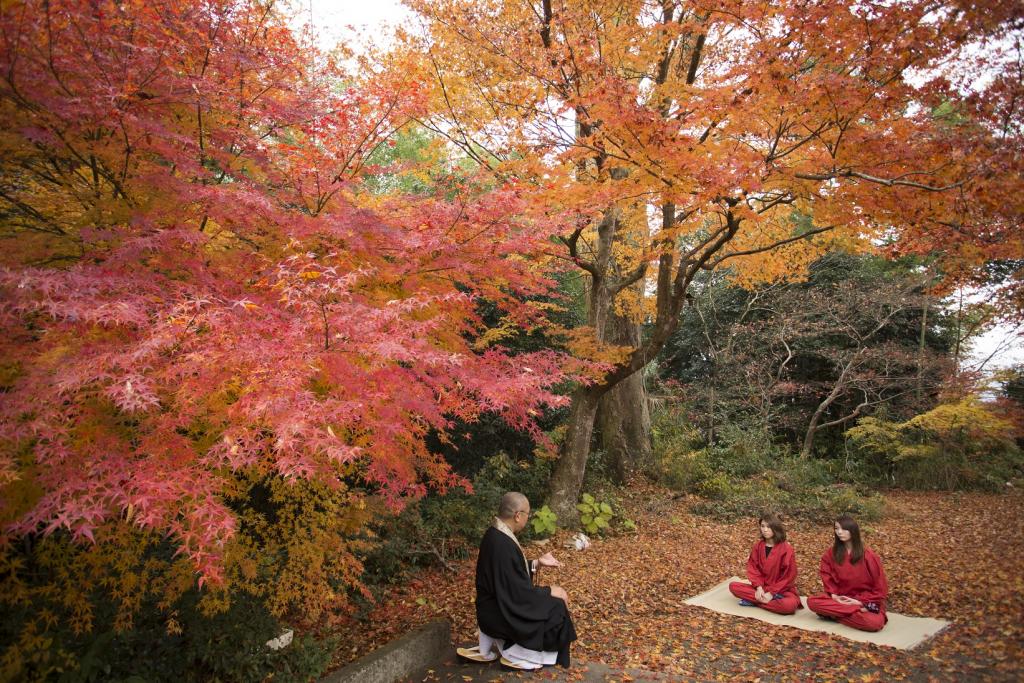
point(510, 608)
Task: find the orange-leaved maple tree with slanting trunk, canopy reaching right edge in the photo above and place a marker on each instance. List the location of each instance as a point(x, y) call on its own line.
point(679, 137)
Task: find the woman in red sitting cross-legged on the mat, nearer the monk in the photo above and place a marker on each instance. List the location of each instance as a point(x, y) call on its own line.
point(773, 571)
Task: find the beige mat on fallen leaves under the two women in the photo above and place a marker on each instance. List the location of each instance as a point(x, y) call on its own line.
point(902, 632)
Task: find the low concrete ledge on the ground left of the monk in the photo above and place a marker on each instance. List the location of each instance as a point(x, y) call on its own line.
point(400, 659)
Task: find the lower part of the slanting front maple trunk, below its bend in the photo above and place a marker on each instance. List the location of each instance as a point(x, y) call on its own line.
point(568, 478)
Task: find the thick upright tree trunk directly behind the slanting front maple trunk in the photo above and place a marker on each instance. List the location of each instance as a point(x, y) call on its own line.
point(623, 415)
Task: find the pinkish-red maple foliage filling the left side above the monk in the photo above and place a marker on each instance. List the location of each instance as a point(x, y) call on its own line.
point(192, 287)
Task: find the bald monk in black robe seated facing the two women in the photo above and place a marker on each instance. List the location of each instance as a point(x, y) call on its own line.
point(529, 625)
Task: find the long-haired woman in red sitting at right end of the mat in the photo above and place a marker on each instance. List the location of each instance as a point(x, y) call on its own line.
point(856, 584)
